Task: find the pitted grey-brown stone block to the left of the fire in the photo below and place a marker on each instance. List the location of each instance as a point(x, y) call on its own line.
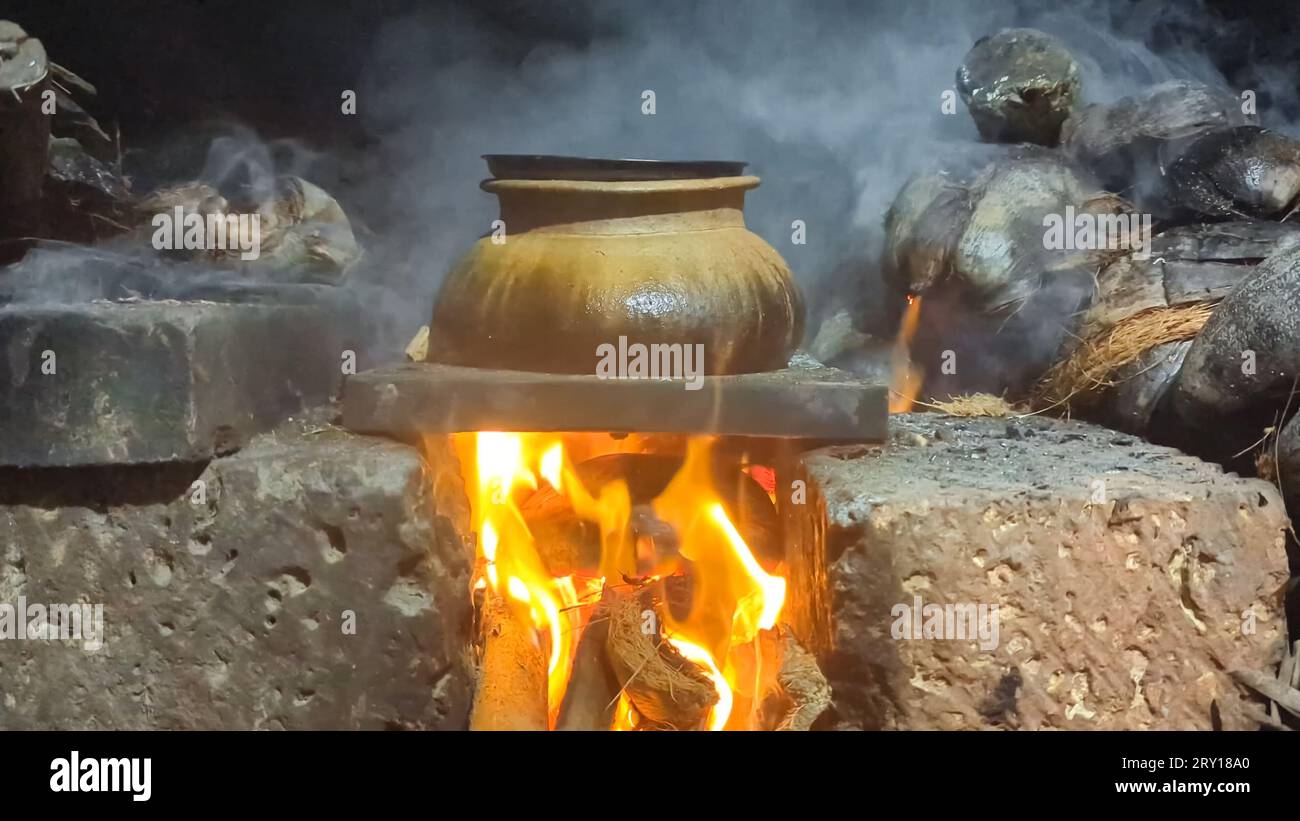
point(229, 610)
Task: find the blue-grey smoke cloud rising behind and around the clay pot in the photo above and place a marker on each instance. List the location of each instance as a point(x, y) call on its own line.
point(833, 103)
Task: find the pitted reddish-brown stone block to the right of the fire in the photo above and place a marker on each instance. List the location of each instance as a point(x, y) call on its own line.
point(1121, 572)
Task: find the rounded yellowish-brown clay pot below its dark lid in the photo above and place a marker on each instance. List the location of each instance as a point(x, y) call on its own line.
point(587, 262)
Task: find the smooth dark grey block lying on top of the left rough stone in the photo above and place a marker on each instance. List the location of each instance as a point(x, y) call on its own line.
point(144, 383)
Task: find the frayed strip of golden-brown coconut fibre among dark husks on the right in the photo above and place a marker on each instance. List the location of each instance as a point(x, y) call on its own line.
point(1094, 363)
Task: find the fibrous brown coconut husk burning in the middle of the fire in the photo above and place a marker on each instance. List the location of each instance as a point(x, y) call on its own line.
point(666, 689)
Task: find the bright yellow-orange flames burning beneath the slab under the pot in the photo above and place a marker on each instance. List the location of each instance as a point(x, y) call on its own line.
point(734, 597)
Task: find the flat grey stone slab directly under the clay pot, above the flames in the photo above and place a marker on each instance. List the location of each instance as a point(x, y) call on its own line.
point(805, 401)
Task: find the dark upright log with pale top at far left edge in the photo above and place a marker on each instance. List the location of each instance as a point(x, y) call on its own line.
point(24, 132)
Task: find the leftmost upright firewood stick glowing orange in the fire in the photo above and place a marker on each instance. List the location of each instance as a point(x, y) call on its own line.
point(512, 689)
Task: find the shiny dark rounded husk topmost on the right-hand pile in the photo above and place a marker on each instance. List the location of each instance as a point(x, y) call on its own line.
point(1020, 86)
